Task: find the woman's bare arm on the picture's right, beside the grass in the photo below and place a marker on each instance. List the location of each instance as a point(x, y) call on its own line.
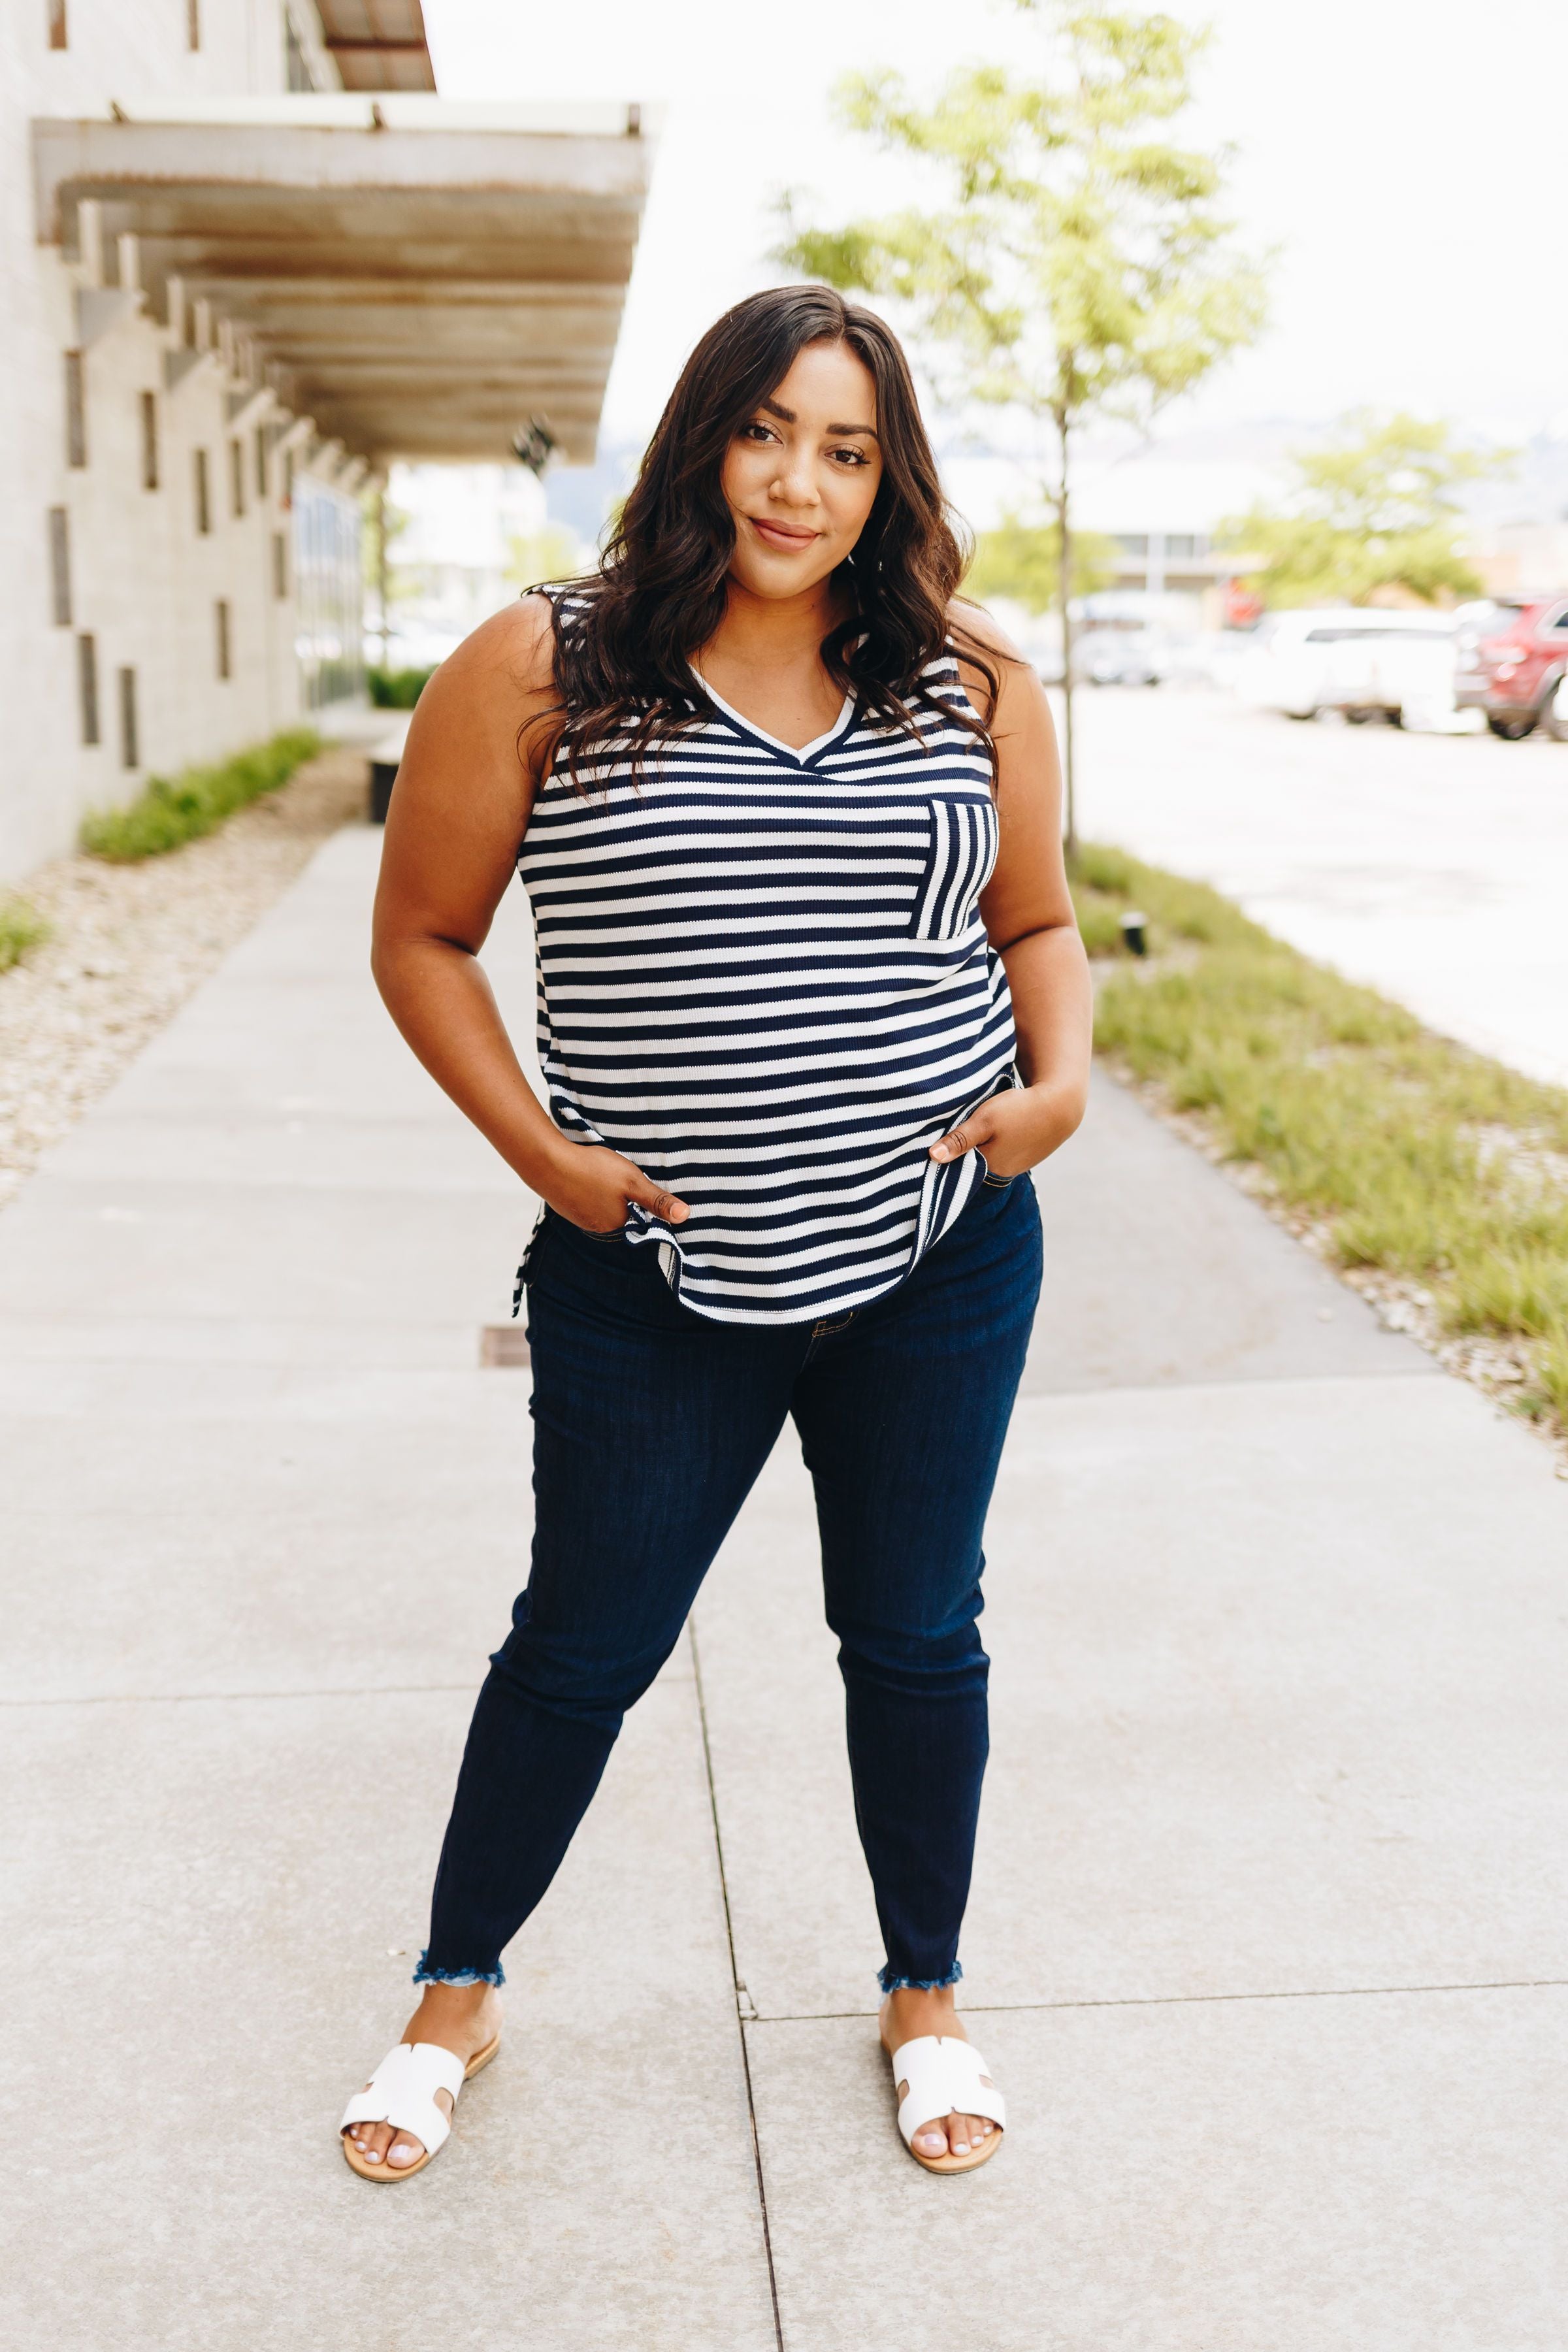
point(1031, 923)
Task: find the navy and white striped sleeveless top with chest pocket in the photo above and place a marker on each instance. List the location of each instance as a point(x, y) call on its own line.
point(763, 977)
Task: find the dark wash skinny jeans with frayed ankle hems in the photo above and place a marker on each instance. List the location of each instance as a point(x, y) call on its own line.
point(650, 1429)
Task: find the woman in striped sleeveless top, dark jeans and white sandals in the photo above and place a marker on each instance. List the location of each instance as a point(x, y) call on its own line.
point(812, 1001)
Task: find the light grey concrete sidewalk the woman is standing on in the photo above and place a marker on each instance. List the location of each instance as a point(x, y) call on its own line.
point(1268, 1937)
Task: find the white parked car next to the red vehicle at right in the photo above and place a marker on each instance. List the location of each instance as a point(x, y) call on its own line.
point(1358, 660)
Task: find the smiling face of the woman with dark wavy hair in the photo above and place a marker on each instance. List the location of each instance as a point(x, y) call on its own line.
point(803, 474)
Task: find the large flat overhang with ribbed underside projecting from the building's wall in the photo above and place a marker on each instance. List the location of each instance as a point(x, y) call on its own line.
point(417, 276)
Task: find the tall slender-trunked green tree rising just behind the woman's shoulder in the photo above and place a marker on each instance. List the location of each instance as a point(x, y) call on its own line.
point(1080, 265)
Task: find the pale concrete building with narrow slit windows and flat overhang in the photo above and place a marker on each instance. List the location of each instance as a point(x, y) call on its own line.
point(248, 260)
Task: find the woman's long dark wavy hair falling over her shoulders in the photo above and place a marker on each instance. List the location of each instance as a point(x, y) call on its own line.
point(626, 634)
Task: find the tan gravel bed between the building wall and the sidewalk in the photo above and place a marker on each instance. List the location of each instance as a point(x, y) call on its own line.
point(128, 944)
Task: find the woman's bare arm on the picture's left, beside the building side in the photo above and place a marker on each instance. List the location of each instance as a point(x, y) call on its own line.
point(457, 817)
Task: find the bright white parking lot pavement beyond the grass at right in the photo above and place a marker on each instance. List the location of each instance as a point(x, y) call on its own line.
point(1430, 867)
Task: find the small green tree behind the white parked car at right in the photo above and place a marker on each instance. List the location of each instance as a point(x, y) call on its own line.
point(1372, 512)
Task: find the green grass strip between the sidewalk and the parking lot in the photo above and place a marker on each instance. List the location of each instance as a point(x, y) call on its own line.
point(1412, 1154)
